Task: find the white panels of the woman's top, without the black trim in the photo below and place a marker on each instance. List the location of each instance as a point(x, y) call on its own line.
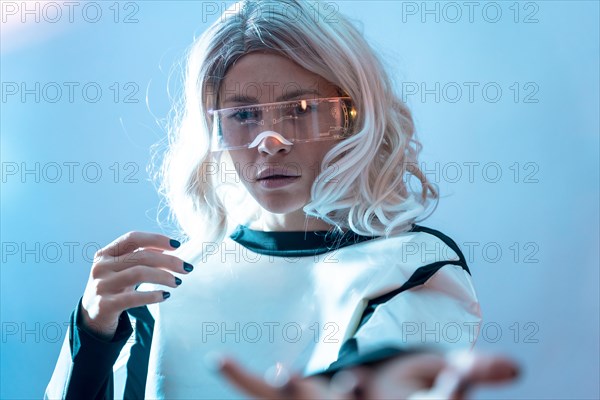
point(293, 313)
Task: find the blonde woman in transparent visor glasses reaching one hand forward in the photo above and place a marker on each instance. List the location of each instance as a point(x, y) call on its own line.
point(286, 171)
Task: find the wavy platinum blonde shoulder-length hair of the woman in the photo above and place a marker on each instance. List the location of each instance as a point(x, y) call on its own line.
point(362, 185)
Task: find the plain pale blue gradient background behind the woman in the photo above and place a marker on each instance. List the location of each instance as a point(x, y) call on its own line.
point(557, 216)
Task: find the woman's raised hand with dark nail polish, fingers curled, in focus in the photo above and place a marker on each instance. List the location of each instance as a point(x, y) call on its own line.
point(118, 269)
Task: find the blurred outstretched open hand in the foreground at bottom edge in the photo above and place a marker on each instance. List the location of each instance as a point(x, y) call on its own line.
point(417, 376)
